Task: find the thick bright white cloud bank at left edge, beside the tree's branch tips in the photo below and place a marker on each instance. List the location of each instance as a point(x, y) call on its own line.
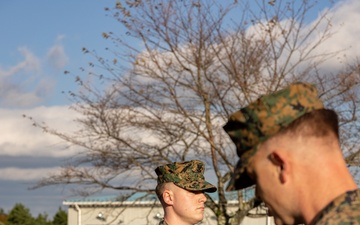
point(20, 138)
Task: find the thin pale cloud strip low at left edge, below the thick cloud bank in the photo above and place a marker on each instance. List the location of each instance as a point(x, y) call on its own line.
point(26, 174)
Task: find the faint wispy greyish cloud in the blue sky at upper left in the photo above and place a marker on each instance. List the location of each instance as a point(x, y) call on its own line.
point(27, 83)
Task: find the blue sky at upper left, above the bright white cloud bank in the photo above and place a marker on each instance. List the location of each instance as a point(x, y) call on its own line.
point(47, 36)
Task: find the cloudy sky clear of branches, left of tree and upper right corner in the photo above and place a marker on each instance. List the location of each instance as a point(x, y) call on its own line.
point(39, 40)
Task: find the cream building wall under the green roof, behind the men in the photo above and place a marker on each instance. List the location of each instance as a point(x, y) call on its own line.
point(139, 215)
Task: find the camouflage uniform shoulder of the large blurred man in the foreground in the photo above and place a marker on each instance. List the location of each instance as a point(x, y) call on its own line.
point(344, 210)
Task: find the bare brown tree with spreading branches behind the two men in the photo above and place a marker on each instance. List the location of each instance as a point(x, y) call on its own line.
point(168, 84)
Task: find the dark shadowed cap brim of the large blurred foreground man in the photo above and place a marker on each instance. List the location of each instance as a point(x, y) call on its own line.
point(240, 179)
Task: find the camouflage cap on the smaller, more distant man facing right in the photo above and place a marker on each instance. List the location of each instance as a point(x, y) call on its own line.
point(188, 175)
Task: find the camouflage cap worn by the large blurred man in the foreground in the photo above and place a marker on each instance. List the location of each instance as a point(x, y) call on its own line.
point(254, 124)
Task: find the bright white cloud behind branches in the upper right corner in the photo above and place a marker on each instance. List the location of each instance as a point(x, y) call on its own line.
point(338, 43)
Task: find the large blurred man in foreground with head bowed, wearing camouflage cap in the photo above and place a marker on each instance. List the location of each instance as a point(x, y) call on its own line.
point(288, 145)
